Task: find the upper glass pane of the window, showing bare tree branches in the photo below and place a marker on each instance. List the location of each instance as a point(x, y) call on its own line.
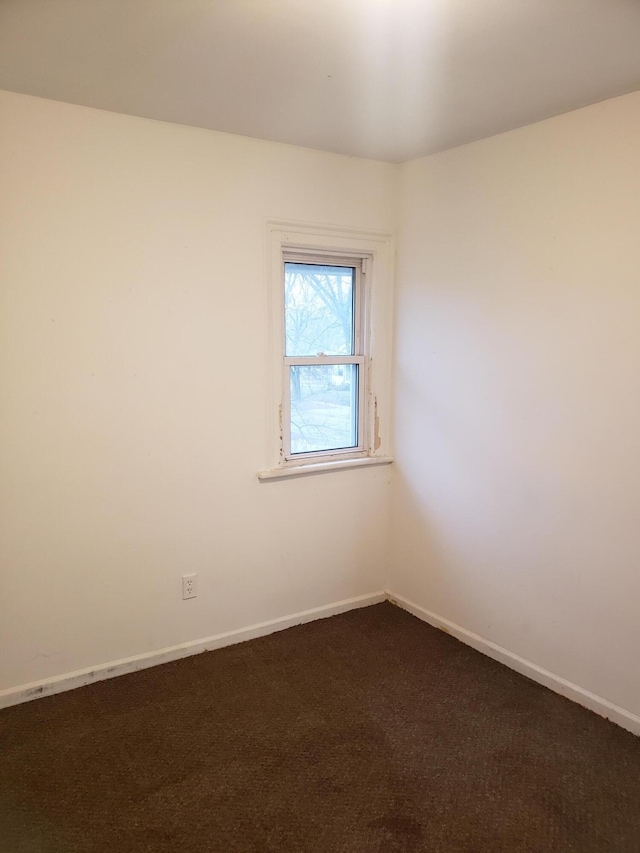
point(318, 309)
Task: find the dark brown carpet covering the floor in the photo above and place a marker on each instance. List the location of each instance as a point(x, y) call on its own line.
point(361, 733)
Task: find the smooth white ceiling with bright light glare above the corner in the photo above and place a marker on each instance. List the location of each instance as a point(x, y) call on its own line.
point(387, 79)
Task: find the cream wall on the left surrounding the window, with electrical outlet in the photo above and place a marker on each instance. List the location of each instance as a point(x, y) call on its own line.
point(133, 378)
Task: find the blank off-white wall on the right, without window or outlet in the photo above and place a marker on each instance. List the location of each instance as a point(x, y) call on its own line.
point(516, 489)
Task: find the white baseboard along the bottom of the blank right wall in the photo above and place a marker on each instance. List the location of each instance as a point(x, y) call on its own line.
point(589, 700)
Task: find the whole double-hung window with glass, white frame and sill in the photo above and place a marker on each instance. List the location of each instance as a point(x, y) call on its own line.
point(330, 303)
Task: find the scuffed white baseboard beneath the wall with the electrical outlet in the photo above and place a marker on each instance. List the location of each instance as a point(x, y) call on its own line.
point(80, 678)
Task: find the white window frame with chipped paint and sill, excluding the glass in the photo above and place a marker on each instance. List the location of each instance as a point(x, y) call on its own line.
point(372, 255)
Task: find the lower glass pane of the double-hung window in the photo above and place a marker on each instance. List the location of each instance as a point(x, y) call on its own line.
point(324, 407)
